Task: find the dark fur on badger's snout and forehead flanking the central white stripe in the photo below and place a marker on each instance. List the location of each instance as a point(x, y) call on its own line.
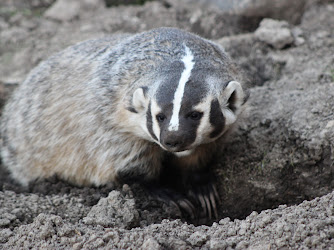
point(195, 91)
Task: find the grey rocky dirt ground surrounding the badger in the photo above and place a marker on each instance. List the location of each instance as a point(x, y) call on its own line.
point(275, 174)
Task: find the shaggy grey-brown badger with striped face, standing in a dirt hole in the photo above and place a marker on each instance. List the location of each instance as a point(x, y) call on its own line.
point(136, 107)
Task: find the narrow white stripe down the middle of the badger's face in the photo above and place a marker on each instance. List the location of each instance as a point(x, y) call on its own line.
point(188, 66)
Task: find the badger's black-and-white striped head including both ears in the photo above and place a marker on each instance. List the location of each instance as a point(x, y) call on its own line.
point(190, 103)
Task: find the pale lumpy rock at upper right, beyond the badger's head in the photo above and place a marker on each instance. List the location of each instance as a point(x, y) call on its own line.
point(275, 33)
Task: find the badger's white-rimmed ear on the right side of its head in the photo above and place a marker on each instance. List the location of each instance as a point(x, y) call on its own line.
point(232, 99)
